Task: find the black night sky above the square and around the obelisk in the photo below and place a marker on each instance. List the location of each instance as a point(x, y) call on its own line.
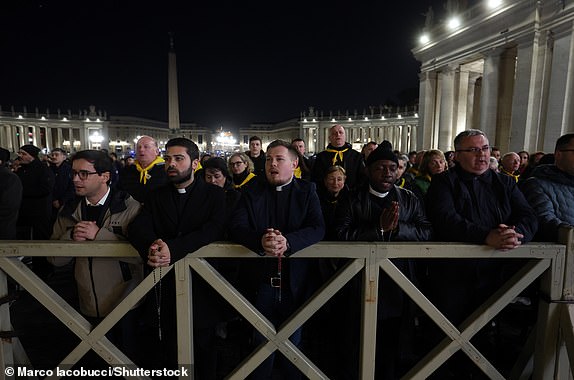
point(239, 62)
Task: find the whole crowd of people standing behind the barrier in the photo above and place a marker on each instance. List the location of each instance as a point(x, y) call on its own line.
point(277, 203)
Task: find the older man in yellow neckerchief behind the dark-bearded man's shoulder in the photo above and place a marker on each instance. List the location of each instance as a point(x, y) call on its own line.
point(147, 172)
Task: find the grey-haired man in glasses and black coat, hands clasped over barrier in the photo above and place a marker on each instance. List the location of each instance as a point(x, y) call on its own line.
point(471, 203)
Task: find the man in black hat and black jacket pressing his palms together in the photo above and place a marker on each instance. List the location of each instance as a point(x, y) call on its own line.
point(383, 212)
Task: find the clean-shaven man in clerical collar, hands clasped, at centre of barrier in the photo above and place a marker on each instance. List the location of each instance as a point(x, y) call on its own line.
point(277, 219)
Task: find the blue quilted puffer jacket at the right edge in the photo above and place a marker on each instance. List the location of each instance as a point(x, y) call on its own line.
point(550, 192)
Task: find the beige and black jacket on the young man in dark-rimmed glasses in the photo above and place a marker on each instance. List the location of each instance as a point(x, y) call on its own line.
point(102, 282)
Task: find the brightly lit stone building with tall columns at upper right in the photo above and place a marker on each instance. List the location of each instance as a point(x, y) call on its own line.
point(506, 67)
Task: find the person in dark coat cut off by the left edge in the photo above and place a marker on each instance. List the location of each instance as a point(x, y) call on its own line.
point(10, 198)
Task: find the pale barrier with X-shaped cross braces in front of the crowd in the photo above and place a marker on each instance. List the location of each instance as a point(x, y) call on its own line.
point(549, 353)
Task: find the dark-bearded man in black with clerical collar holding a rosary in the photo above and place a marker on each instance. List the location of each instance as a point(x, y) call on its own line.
point(179, 218)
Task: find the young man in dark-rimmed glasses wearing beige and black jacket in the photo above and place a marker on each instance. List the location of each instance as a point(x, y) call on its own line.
point(101, 213)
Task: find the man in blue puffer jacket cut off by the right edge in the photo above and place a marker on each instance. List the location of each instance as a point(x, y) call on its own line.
point(550, 190)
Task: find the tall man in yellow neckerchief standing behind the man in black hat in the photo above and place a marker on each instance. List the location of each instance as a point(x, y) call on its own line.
point(341, 153)
